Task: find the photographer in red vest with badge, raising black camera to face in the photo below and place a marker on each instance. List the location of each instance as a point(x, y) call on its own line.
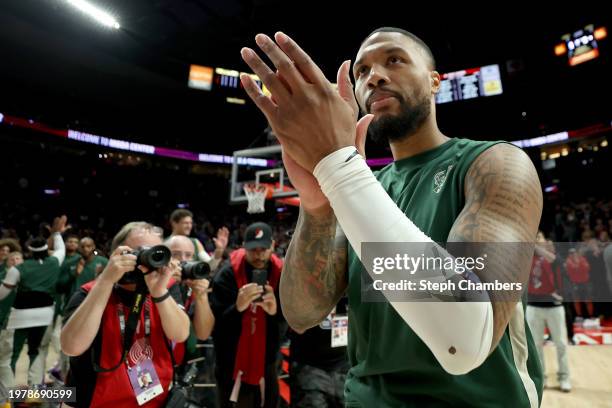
point(122, 322)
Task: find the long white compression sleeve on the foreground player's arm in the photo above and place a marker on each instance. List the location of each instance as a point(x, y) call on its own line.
point(459, 334)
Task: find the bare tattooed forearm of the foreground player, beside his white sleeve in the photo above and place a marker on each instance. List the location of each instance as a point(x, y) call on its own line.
point(314, 273)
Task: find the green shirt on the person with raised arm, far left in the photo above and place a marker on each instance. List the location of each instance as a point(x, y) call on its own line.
point(36, 276)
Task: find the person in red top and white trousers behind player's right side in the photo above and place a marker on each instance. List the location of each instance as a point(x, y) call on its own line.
point(545, 308)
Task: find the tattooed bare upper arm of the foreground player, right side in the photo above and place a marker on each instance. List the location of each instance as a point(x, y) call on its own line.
point(503, 204)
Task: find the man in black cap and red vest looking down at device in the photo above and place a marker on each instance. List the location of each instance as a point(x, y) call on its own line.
point(248, 322)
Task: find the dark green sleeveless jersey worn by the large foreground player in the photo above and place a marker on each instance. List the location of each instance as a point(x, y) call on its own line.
point(390, 365)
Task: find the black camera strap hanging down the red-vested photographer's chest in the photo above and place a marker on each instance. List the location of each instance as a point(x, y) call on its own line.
point(127, 330)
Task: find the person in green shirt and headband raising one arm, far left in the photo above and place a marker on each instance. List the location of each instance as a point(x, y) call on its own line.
point(35, 281)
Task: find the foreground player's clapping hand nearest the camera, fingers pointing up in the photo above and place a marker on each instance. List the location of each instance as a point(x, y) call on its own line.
point(309, 117)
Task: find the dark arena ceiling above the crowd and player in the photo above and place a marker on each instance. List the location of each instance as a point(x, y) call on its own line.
point(58, 67)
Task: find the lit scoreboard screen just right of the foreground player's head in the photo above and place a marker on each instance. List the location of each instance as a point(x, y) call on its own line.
point(469, 84)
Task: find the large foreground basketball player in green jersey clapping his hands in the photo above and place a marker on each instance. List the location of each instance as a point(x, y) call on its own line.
point(438, 189)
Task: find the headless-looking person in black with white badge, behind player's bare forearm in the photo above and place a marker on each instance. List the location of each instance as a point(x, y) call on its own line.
point(318, 365)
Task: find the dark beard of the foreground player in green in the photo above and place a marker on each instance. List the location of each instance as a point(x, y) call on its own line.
point(388, 128)
